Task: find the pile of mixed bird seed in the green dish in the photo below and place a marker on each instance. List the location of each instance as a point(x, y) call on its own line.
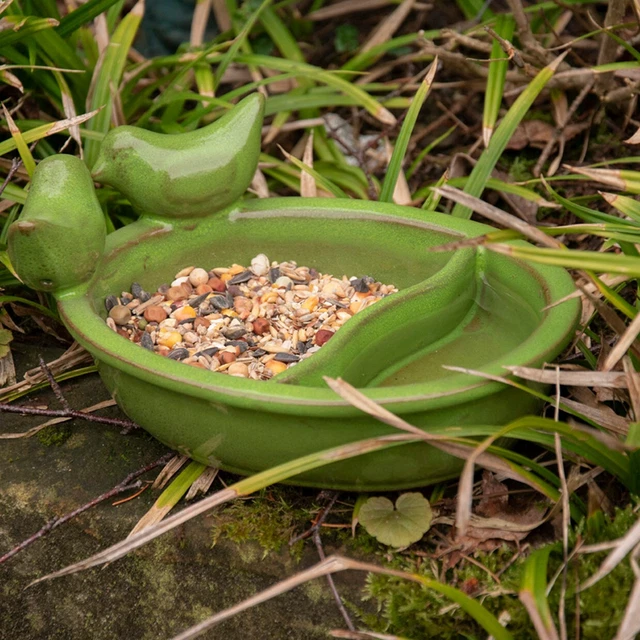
point(251, 323)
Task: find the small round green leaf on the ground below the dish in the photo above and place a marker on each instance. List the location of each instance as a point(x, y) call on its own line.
point(398, 527)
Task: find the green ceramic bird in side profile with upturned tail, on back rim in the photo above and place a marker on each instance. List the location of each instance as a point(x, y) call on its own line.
point(188, 174)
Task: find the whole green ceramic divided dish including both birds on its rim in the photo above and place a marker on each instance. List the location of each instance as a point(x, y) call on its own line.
point(468, 308)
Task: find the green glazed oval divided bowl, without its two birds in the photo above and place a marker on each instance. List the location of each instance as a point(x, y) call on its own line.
point(469, 308)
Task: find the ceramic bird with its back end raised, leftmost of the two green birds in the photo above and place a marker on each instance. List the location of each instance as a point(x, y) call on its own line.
point(61, 232)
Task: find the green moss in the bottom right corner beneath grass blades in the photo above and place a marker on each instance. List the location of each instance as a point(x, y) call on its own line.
point(407, 609)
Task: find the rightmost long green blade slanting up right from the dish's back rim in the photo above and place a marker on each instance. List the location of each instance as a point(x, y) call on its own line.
point(485, 165)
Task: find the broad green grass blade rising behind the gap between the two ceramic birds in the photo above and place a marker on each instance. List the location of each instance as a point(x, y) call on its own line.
point(109, 74)
